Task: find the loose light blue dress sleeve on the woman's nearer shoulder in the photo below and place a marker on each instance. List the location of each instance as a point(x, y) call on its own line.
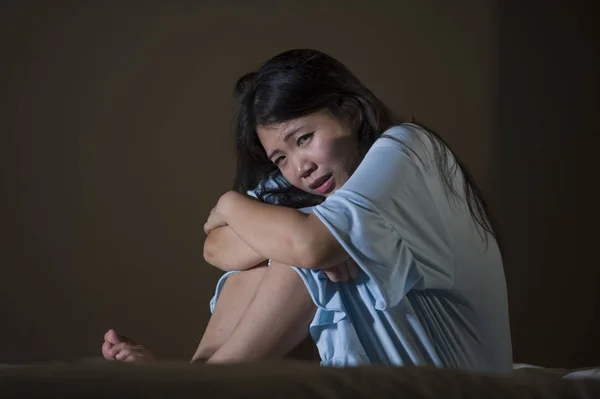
point(387, 217)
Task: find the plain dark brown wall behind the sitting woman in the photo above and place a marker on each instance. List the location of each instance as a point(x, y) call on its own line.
point(115, 119)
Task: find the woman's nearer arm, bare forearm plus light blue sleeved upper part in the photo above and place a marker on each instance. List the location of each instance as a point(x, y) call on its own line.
point(385, 176)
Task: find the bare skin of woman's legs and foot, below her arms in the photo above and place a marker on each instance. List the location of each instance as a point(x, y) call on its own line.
point(248, 301)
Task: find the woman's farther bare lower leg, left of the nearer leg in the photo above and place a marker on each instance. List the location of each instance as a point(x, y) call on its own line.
point(237, 293)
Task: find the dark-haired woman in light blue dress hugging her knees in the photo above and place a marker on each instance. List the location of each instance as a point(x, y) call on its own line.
point(388, 196)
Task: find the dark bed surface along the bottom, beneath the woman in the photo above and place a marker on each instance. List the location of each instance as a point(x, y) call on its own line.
point(287, 379)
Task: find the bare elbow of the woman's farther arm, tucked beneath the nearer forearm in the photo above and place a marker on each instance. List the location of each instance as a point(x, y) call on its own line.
point(224, 249)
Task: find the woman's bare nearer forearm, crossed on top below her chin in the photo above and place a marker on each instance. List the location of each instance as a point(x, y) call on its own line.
point(283, 234)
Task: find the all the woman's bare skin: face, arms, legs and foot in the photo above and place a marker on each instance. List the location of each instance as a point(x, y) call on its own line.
point(307, 150)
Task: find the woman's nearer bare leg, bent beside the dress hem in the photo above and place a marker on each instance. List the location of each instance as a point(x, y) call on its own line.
point(275, 321)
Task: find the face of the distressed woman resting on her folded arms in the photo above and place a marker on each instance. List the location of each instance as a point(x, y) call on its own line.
point(316, 153)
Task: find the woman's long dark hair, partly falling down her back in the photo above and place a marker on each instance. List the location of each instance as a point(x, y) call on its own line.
point(300, 82)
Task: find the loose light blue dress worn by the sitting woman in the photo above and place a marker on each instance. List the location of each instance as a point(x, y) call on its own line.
point(431, 290)
